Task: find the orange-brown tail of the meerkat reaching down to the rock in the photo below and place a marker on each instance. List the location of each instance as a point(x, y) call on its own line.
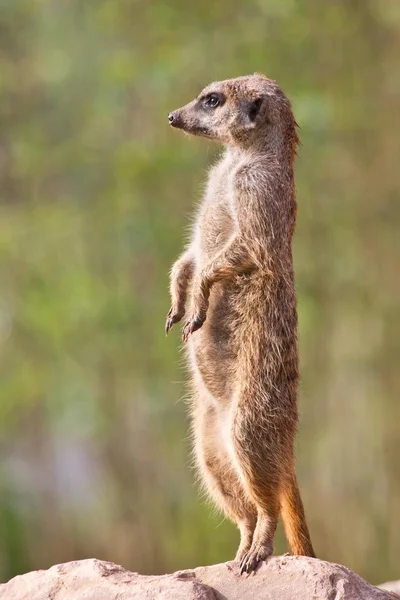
point(294, 520)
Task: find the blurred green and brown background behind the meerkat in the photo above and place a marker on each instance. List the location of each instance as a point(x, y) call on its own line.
point(96, 194)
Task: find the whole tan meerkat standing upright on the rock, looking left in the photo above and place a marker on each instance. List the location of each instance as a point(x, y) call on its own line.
point(241, 332)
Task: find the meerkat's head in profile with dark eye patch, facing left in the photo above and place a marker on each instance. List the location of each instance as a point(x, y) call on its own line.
point(237, 111)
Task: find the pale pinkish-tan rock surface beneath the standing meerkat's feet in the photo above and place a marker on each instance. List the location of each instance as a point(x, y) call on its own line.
point(282, 578)
